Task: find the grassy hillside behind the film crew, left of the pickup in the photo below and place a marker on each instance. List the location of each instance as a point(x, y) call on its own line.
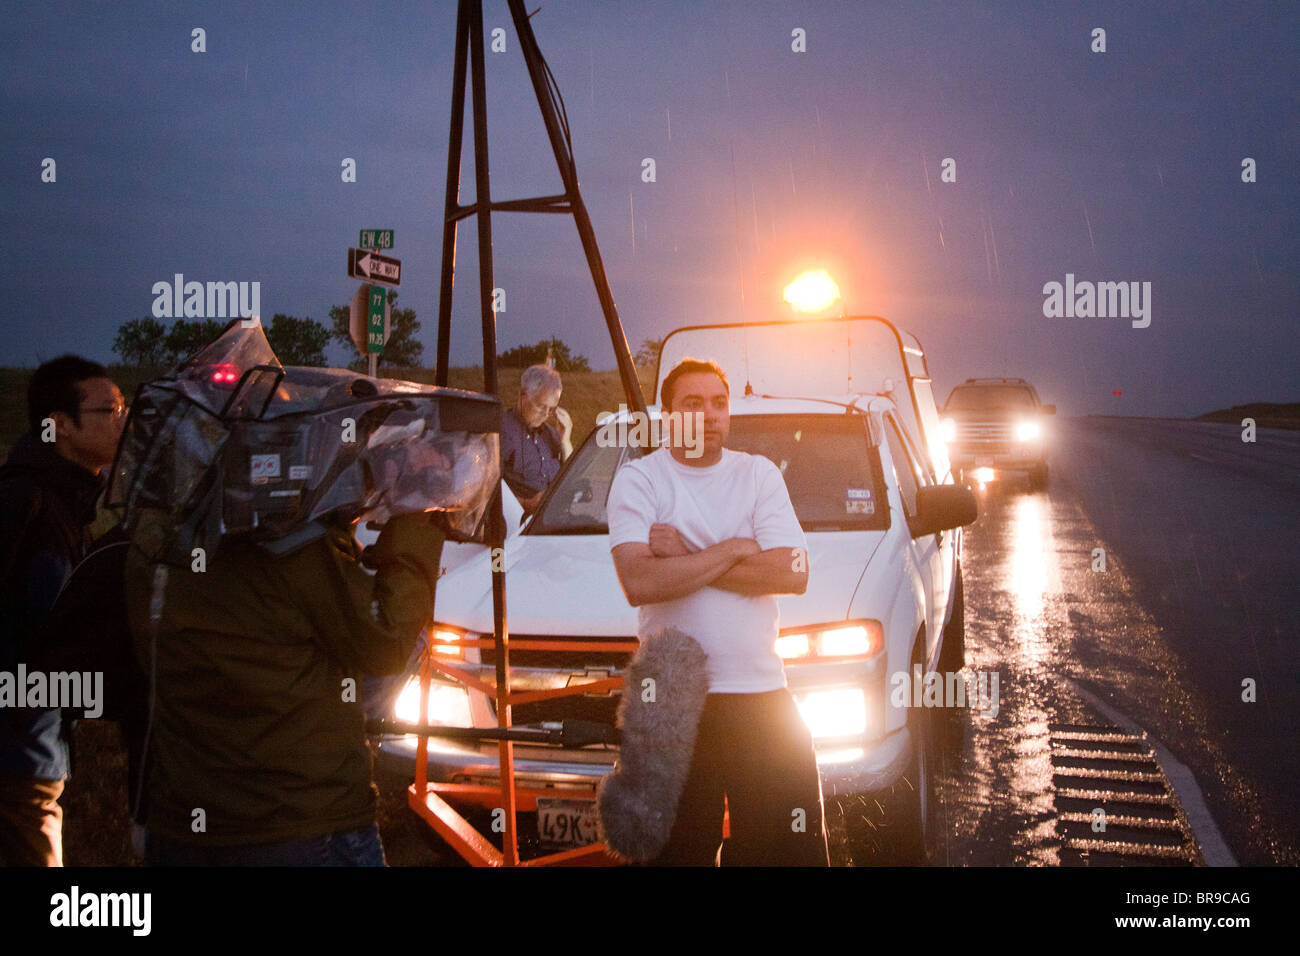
point(586, 393)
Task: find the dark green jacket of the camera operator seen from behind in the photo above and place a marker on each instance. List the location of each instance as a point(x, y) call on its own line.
point(250, 720)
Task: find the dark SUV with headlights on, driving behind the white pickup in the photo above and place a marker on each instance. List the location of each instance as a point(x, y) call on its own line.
point(996, 425)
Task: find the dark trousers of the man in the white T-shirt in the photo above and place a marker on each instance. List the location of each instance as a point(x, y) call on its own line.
point(756, 751)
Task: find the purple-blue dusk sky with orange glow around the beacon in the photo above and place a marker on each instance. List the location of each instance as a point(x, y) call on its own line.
point(1119, 166)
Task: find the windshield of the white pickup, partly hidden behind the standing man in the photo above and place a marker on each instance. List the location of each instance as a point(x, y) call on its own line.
point(830, 470)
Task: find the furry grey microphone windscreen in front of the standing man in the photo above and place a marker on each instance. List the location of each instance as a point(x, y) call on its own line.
point(665, 694)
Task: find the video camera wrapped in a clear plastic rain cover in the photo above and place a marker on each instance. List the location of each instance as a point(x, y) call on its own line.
point(232, 443)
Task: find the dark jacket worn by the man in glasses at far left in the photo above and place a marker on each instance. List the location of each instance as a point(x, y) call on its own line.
point(47, 505)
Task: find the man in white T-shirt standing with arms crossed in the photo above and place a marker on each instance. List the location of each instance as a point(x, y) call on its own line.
point(704, 539)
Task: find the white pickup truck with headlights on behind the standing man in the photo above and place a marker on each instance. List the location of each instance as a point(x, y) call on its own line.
point(846, 410)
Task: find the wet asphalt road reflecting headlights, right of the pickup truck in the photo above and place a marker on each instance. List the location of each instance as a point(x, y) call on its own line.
point(1199, 595)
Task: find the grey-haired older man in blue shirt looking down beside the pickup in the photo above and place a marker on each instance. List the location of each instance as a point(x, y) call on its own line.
point(531, 449)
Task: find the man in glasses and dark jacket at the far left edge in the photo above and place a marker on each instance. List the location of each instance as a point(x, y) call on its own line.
point(50, 488)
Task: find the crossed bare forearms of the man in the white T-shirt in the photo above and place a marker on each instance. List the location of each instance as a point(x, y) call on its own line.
point(665, 569)
